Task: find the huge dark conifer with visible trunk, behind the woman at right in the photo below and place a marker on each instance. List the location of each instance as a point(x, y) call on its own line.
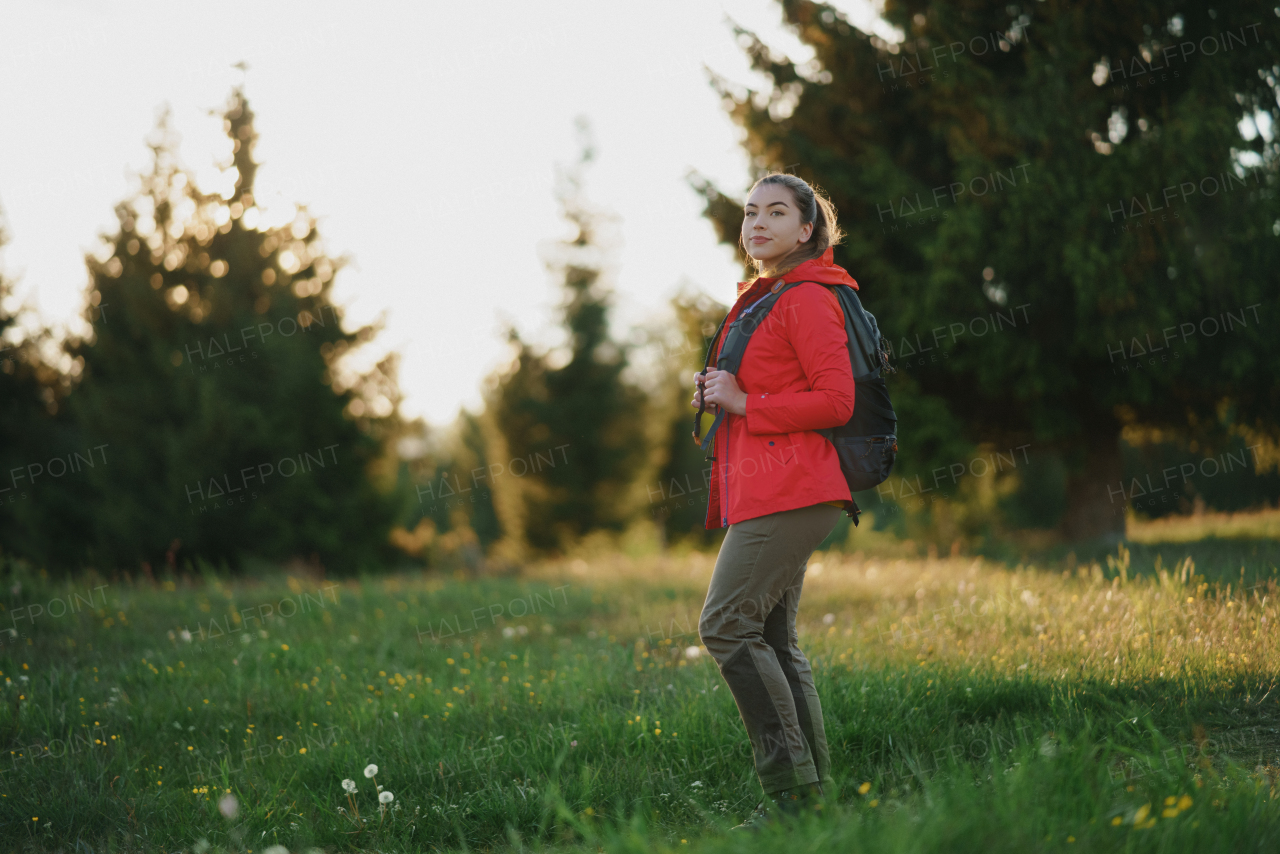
point(1025, 173)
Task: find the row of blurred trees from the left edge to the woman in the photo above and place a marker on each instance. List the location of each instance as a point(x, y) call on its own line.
point(208, 417)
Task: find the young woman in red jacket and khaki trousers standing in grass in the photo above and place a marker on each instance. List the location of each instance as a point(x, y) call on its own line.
point(778, 485)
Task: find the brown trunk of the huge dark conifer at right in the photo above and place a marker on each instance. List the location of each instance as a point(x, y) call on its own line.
point(1095, 494)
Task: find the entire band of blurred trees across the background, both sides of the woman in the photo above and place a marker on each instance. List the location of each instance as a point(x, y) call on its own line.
point(214, 350)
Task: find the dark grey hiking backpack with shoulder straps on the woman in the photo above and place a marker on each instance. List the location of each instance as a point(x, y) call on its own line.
point(867, 445)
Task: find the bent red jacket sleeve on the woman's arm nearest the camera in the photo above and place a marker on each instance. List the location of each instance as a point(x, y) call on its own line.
point(819, 339)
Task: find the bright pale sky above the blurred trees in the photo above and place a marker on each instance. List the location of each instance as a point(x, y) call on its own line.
point(426, 136)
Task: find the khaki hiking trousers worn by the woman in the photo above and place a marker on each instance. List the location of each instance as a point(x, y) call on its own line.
point(749, 628)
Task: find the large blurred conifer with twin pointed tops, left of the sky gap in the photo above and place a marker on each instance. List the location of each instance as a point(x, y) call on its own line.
point(212, 389)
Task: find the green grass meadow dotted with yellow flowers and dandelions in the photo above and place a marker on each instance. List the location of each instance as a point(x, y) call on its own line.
point(1126, 704)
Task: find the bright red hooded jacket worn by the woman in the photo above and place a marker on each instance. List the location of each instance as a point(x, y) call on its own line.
point(798, 380)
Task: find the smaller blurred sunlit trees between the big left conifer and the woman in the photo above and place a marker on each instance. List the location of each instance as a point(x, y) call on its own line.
point(595, 439)
